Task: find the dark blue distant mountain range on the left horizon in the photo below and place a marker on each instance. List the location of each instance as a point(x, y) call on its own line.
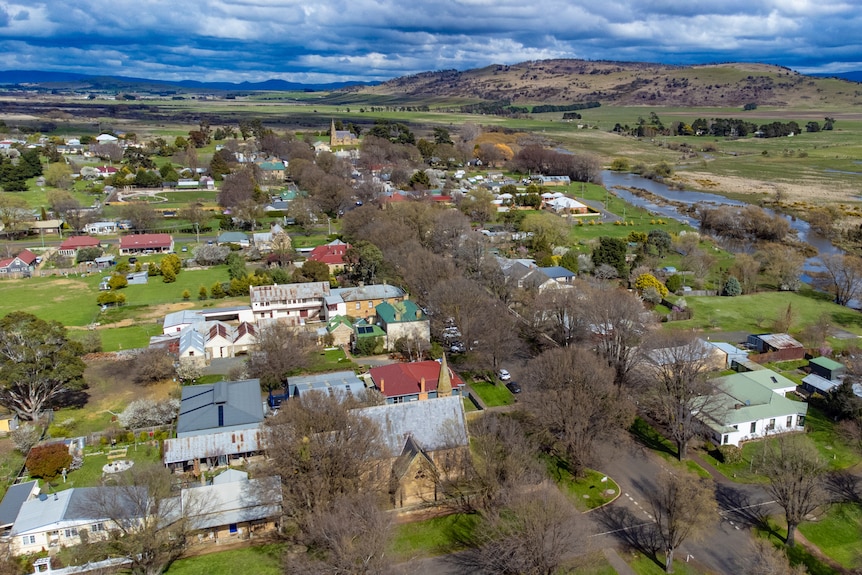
point(66, 80)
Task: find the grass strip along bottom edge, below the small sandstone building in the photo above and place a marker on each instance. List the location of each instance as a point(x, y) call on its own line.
point(260, 560)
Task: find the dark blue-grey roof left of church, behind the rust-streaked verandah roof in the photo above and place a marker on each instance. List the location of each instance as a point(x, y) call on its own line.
point(220, 406)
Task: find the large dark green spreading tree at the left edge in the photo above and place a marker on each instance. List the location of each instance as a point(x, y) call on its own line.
point(38, 363)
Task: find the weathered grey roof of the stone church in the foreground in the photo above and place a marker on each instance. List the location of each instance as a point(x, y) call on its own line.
point(434, 423)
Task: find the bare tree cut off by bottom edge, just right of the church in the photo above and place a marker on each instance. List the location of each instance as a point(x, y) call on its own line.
point(532, 535)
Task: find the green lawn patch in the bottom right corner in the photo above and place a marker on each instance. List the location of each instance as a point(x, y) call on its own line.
point(838, 533)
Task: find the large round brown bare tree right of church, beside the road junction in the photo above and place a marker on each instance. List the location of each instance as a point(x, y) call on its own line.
point(575, 403)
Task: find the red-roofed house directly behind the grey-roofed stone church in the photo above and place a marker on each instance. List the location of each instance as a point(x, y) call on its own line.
point(416, 381)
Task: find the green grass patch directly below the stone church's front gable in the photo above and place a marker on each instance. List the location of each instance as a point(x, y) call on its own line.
point(436, 536)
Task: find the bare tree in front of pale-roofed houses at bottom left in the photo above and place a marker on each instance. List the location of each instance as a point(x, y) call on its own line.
point(149, 523)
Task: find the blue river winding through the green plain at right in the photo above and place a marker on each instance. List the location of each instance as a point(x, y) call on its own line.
point(617, 183)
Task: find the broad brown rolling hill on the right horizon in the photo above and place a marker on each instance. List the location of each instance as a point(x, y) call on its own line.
point(624, 84)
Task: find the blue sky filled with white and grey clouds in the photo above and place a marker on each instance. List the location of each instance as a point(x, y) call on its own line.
point(334, 40)
